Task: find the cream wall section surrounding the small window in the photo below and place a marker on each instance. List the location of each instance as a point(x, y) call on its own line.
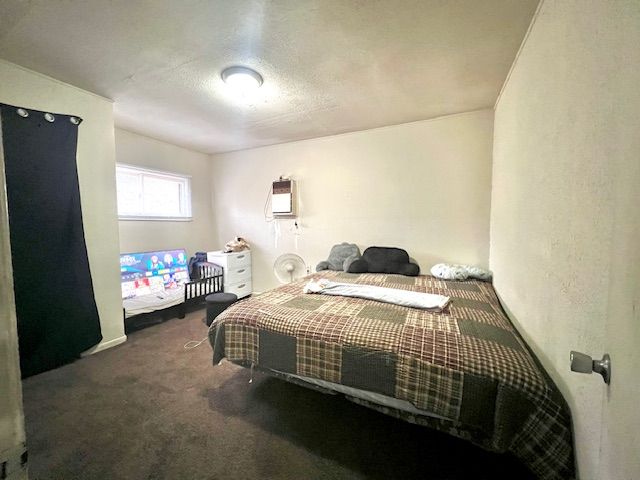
point(196, 235)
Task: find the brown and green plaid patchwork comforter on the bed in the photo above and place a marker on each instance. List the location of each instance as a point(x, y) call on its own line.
point(467, 365)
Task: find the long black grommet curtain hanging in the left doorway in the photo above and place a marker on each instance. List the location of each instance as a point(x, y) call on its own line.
point(55, 305)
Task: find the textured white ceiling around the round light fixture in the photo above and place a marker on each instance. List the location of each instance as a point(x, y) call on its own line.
point(329, 66)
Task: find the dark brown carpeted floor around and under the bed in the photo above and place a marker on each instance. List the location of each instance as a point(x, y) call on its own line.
point(148, 409)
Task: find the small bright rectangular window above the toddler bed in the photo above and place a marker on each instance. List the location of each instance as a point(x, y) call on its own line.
point(152, 195)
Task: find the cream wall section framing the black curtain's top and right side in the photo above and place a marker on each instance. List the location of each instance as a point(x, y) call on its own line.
point(96, 174)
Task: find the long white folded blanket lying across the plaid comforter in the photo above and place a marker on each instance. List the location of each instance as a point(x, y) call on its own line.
point(382, 294)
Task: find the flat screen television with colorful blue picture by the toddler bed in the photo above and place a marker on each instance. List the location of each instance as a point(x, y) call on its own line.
point(144, 273)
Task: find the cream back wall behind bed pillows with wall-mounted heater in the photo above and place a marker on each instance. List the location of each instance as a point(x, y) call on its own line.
point(422, 186)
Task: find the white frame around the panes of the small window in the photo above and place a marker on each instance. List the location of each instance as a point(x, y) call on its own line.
point(185, 196)
